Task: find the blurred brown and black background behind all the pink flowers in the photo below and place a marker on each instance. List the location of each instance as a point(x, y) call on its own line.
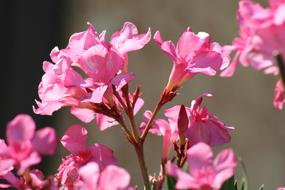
point(30, 29)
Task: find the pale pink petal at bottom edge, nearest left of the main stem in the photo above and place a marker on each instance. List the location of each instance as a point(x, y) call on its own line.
point(118, 177)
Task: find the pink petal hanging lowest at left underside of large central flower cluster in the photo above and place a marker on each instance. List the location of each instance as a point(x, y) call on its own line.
point(84, 114)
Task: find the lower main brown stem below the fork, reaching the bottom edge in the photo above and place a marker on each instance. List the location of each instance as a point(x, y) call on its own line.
point(140, 156)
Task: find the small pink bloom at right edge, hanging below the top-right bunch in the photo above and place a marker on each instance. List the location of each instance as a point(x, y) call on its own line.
point(279, 95)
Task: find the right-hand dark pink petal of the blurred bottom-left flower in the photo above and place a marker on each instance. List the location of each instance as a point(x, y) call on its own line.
point(45, 141)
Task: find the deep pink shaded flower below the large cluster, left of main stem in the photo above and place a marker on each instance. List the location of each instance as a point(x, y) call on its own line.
point(74, 140)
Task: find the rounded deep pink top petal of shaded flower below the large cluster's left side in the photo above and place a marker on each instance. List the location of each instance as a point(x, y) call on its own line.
point(74, 139)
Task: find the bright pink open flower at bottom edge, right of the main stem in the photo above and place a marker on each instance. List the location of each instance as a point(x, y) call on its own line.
point(204, 172)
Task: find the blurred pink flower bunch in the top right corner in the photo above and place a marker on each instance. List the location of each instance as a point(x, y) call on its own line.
point(261, 36)
